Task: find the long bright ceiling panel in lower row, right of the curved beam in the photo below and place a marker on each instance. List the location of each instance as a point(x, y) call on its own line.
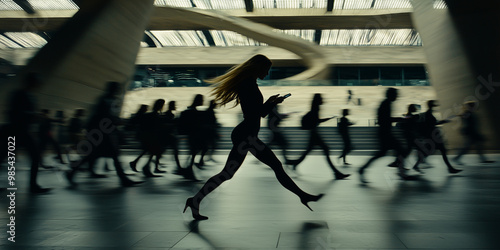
point(371, 37)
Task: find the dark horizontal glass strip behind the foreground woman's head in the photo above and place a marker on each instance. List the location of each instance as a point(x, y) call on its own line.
point(163, 76)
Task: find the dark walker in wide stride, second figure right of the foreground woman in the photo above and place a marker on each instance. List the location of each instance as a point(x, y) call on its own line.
point(312, 118)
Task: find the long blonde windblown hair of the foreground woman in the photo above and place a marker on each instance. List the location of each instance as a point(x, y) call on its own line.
point(227, 86)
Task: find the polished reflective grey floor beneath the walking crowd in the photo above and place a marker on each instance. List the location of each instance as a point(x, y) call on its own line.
point(252, 211)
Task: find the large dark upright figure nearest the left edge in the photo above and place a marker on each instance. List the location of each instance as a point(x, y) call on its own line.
point(21, 117)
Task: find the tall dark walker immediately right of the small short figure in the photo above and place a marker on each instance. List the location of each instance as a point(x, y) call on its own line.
point(386, 139)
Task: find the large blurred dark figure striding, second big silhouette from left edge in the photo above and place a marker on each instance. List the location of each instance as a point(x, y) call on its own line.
point(103, 135)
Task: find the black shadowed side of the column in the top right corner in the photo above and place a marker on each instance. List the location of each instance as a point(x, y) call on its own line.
point(478, 26)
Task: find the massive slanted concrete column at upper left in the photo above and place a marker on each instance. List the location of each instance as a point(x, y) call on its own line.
point(98, 44)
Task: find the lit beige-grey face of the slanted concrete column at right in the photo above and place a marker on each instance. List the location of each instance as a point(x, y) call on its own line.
point(451, 71)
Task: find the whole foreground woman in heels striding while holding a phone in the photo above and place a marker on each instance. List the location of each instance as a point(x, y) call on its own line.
point(240, 84)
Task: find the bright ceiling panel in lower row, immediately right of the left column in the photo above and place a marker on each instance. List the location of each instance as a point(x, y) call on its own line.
point(181, 38)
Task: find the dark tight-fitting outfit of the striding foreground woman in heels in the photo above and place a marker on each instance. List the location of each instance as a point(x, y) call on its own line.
point(244, 138)
